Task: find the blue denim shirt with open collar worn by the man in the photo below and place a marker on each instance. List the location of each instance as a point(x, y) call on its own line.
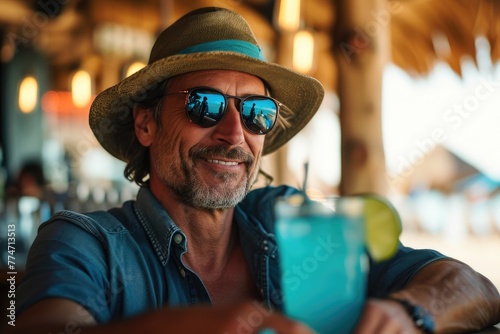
point(126, 261)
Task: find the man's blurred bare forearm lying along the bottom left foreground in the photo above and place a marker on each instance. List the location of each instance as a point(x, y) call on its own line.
point(192, 319)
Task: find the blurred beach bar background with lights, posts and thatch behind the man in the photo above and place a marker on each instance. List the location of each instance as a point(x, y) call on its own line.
point(419, 77)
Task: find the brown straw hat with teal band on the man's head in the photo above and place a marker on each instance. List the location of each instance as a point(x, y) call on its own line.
point(204, 39)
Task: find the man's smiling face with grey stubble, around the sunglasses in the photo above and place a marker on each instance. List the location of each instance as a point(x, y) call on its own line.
point(209, 168)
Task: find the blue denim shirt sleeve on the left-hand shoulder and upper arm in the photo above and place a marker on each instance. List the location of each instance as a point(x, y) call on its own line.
point(65, 261)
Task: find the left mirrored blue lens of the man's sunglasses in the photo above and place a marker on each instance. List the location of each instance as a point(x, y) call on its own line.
point(205, 107)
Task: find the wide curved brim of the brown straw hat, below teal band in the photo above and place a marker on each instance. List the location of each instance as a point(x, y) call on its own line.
point(111, 117)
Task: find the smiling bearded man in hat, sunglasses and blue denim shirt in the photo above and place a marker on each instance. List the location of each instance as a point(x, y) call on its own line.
point(195, 253)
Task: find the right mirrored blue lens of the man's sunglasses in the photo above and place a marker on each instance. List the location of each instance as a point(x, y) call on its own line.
point(259, 114)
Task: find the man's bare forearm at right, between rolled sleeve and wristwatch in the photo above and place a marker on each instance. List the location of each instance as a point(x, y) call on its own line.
point(458, 298)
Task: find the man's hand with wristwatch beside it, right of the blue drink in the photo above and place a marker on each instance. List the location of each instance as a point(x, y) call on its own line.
point(385, 316)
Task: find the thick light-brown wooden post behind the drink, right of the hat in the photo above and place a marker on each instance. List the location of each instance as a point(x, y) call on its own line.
point(361, 48)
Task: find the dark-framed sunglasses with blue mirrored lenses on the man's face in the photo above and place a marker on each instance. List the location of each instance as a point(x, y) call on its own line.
point(206, 106)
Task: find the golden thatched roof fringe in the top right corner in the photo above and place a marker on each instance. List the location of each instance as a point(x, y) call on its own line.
point(424, 31)
